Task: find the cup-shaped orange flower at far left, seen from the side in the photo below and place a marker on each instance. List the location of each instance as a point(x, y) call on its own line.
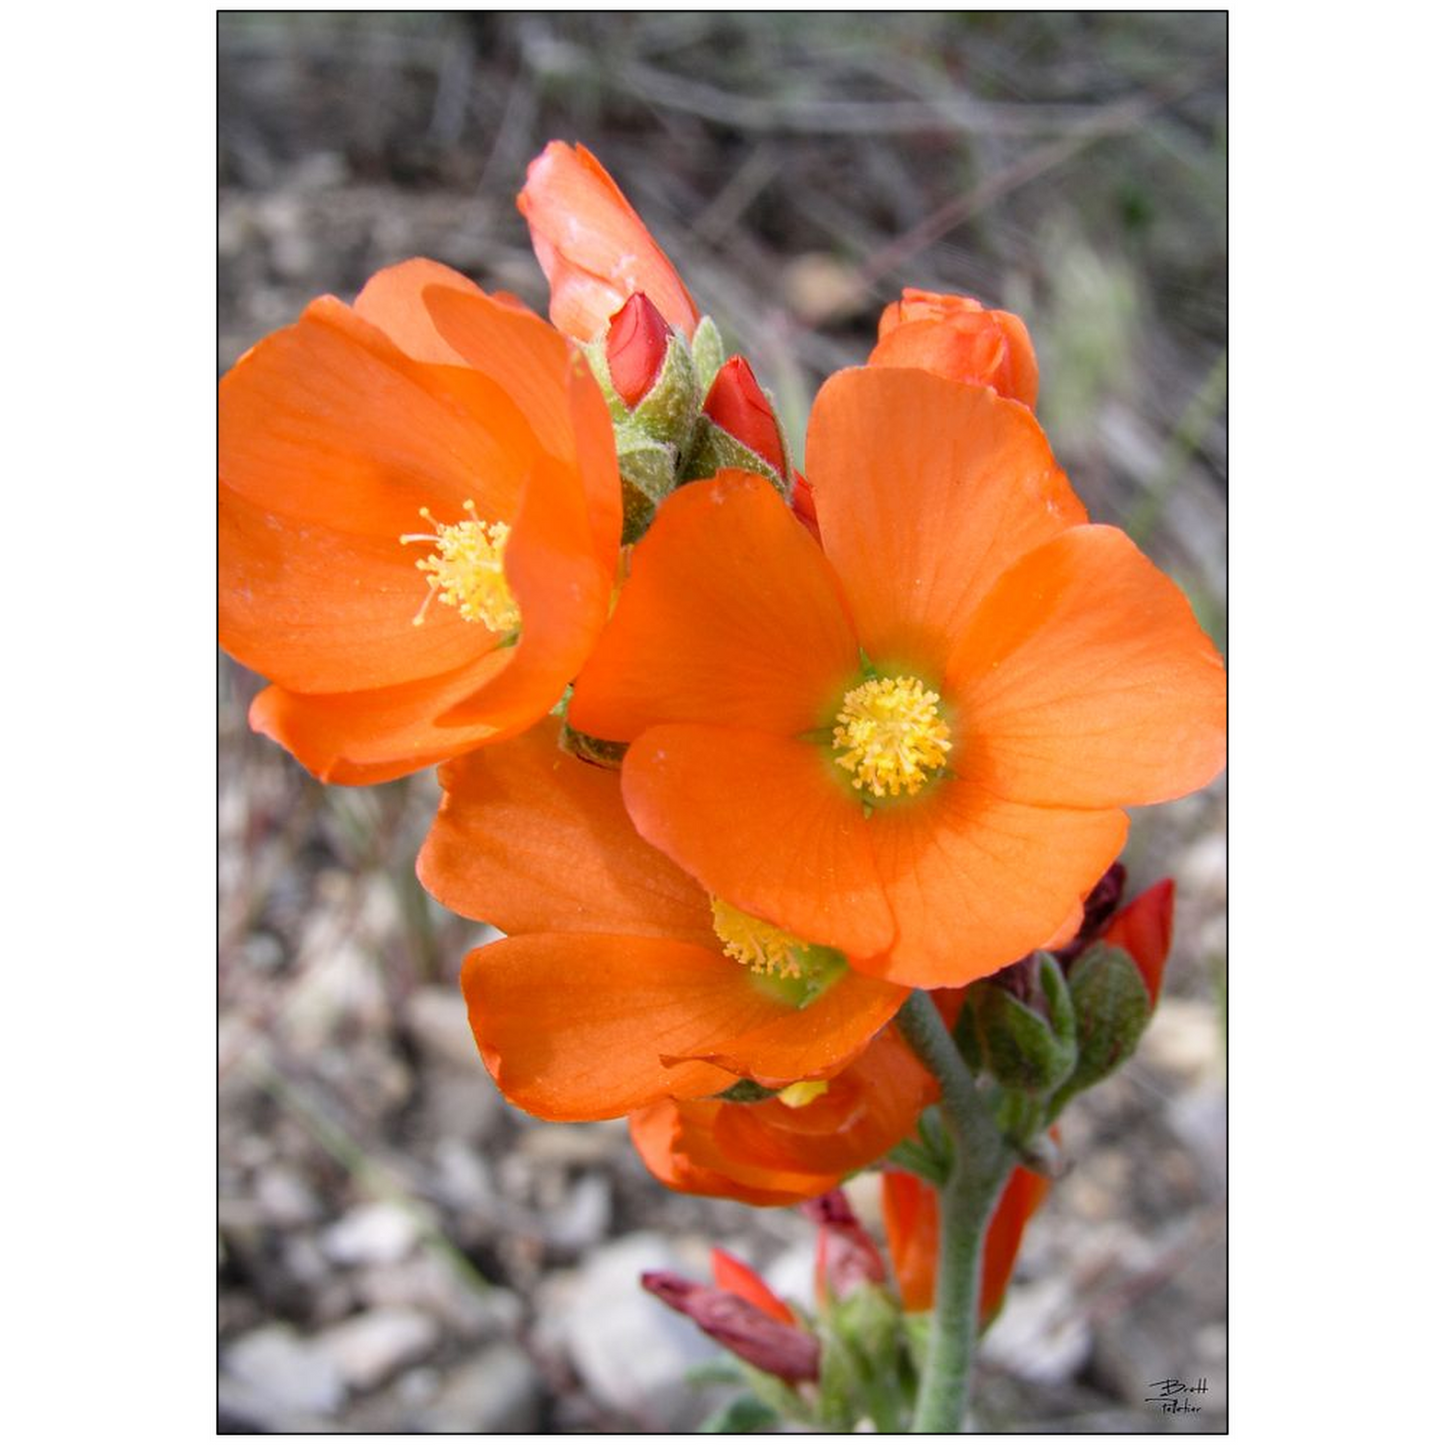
point(420, 521)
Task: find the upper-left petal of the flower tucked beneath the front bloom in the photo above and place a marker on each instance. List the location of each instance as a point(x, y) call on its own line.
point(534, 840)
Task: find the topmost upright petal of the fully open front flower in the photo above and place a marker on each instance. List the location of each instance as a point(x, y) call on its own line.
point(927, 492)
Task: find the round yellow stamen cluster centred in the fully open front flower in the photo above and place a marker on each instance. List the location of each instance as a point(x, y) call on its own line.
point(891, 736)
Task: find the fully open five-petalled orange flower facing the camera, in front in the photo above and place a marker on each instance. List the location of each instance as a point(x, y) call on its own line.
point(914, 743)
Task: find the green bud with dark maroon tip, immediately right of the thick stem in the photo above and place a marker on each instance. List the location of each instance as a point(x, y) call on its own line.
point(1018, 1025)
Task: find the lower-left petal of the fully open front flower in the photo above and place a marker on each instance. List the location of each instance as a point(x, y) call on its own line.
point(761, 821)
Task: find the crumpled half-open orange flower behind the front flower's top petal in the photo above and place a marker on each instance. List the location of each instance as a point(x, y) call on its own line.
point(959, 339)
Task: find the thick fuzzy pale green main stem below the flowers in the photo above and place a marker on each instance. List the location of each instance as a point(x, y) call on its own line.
point(980, 1167)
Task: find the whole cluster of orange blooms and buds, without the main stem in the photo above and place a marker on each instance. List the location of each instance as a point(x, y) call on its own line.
point(735, 758)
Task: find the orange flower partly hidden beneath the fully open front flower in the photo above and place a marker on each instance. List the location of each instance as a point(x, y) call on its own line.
point(624, 982)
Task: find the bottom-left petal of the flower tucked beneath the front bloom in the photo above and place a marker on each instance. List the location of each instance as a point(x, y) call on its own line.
point(576, 1025)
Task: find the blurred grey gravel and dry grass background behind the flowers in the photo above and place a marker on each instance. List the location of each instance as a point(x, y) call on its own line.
point(400, 1251)
